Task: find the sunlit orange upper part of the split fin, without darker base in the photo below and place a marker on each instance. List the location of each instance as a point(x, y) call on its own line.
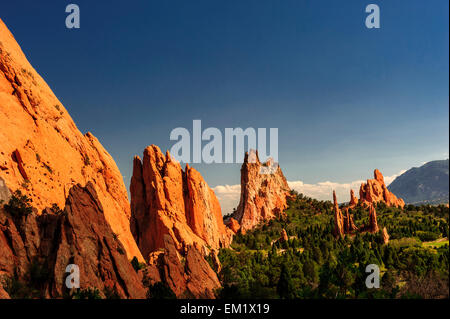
point(166, 200)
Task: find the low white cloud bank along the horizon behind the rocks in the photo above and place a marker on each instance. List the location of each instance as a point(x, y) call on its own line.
point(229, 195)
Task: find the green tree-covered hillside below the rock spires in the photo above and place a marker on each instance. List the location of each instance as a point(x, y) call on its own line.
point(314, 264)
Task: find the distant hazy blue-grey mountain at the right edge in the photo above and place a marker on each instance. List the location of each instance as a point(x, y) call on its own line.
point(425, 184)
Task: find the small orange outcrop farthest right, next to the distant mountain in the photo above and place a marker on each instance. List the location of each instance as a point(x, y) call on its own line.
point(375, 191)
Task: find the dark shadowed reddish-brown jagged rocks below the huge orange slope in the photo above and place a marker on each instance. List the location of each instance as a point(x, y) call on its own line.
point(78, 235)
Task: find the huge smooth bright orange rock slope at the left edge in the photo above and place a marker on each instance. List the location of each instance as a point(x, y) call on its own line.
point(42, 152)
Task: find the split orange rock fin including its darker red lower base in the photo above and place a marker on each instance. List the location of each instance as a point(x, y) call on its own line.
point(176, 211)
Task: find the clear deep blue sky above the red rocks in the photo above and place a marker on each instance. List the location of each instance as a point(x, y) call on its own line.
point(346, 99)
